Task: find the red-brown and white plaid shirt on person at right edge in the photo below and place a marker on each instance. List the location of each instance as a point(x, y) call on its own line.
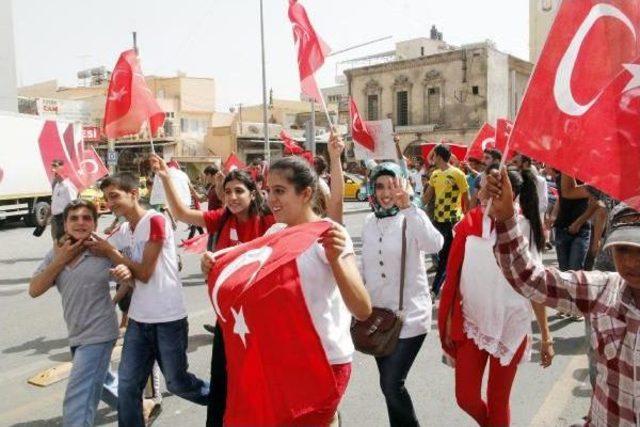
point(615, 322)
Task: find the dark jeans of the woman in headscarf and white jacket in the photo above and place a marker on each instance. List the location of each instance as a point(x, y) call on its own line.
point(393, 371)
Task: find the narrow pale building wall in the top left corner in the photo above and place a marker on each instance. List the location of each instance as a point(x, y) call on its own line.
point(8, 92)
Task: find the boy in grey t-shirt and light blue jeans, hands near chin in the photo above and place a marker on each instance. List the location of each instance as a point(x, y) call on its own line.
point(83, 282)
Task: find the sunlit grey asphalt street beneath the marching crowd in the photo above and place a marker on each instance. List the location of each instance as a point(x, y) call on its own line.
point(34, 339)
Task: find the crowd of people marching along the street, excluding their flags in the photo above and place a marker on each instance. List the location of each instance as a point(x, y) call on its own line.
point(483, 226)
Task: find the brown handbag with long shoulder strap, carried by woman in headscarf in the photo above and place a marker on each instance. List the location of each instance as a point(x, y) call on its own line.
point(379, 334)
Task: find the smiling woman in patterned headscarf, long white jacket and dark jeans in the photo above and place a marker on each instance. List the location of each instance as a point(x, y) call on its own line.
point(381, 268)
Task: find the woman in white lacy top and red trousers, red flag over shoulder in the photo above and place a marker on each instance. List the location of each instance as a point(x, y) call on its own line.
point(481, 319)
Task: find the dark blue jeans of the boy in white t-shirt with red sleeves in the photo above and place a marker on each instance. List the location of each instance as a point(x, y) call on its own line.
point(145, 343)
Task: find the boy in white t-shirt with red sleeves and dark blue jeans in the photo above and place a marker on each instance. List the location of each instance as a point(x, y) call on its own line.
point(158, 326)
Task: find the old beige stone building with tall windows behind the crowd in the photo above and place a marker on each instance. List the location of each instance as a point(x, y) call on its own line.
point(439, 91)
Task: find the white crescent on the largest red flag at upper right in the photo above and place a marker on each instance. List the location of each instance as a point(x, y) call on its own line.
point(562, 88)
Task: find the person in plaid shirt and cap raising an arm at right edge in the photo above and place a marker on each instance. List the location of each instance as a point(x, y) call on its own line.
point(610, 299)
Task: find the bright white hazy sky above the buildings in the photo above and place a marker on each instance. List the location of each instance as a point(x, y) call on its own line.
point(221, 38)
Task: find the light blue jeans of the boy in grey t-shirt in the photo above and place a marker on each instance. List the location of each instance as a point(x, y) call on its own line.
point(90, 380)
